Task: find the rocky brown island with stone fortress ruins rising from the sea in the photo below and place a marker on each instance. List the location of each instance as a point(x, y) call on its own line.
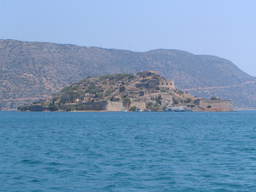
point(143, 91)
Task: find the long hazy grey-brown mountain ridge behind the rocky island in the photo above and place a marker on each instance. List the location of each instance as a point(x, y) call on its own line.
point(33, 70)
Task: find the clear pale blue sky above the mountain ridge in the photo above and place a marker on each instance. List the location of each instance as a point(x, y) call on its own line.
point(225, 28)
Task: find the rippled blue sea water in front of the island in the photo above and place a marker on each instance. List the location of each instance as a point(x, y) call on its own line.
point(126, 152)
